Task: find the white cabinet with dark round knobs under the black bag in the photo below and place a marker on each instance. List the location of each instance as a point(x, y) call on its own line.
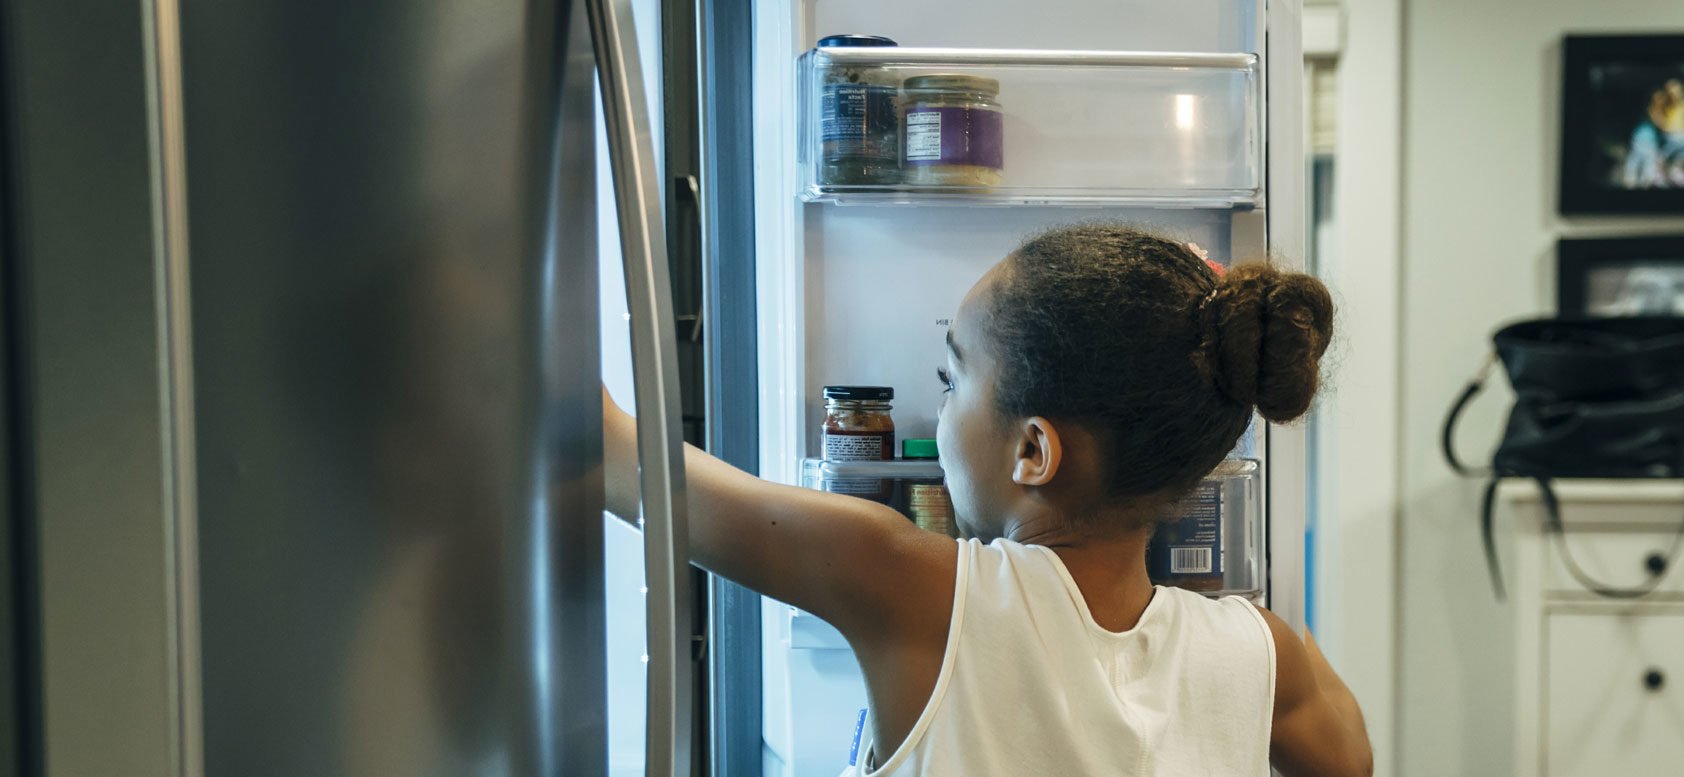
point(1601, 682)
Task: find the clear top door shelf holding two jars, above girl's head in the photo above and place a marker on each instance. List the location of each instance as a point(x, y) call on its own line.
point(1030, 127)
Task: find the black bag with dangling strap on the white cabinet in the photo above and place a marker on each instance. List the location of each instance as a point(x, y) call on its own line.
point(1594, 399)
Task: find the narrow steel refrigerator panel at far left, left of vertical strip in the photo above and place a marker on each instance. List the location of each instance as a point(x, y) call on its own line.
point(90, 399)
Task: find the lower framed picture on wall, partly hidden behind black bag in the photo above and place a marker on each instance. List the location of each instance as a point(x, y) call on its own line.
point(1621, 277)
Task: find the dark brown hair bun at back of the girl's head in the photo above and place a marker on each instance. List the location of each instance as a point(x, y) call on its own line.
point(1262, 338)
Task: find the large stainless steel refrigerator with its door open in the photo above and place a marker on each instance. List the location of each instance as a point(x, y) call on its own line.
point(309, 308)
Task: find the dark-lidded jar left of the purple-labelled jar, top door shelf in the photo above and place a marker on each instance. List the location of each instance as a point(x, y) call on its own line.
point(860, 141)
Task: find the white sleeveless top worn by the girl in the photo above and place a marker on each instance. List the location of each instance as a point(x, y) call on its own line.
point(1031, 685)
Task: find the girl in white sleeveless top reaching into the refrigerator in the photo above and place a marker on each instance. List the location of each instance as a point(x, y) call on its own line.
point(1092, 380)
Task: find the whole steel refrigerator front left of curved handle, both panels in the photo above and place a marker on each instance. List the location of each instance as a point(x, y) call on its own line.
point(393, 533)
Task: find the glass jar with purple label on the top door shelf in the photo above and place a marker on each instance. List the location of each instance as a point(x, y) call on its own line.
point(954, 132)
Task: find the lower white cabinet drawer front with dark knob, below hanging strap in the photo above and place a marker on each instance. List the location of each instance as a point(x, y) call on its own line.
point(1614, 699)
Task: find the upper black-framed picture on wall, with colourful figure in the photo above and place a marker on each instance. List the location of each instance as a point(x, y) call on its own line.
point(1623, 132)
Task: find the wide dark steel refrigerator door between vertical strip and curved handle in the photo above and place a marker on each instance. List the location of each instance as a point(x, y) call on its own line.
point(393, 286)
